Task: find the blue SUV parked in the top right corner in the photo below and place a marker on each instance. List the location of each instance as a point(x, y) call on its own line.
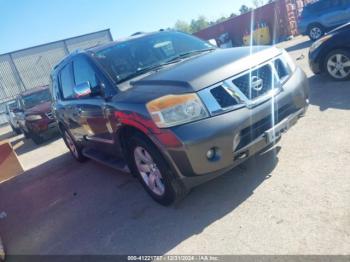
point(321, 16)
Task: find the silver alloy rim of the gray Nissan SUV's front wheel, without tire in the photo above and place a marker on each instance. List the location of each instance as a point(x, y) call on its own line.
point(149, 171)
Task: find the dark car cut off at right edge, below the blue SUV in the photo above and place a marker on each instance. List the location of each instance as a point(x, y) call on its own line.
point(331, 54)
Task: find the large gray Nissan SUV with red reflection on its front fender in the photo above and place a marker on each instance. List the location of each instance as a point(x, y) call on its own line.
point(174, 109)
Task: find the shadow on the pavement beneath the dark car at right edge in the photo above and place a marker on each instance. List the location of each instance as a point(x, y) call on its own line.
point(327, 93)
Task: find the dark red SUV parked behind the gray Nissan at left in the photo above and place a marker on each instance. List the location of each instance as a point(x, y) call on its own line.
point(34, 114)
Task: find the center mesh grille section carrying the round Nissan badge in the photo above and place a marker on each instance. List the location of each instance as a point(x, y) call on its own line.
point(256, 83)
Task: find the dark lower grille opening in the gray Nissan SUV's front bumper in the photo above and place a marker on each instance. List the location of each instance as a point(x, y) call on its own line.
point(258, 128)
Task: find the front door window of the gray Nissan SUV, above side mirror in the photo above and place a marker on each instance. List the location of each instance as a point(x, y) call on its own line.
point(84, 72)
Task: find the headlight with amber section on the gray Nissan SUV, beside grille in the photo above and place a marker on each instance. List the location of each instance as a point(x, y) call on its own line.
point(172, 110)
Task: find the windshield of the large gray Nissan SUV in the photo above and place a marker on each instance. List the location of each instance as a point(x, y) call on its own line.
point(128, 59)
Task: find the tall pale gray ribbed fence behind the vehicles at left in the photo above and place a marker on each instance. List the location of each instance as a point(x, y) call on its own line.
point(28, 68)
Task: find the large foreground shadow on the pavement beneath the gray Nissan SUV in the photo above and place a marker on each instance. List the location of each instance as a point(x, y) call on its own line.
point(65, 207)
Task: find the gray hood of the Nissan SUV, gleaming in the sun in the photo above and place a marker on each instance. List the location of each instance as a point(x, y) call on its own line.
point(207, 69)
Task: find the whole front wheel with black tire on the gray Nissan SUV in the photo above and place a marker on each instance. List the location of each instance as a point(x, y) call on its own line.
point(162, 186)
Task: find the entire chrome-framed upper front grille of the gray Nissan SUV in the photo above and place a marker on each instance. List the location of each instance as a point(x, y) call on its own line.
point(250, 88)
